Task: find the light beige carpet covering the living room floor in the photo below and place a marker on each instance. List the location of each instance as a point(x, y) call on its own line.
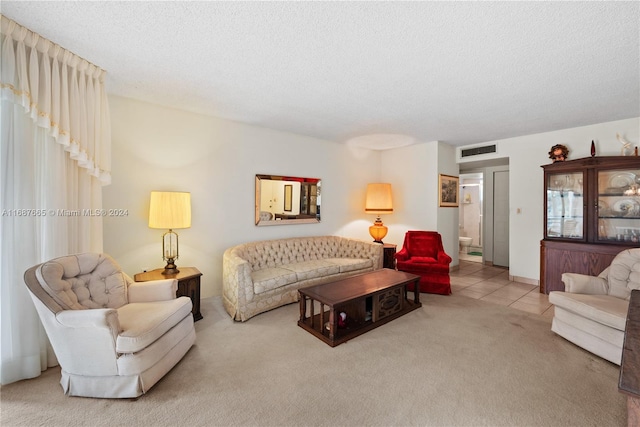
point(454, 362)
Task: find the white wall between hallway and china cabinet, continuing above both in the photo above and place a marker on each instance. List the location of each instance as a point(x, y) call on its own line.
point(526, 191)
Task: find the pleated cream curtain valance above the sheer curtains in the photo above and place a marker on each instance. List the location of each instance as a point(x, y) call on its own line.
point(61, 92)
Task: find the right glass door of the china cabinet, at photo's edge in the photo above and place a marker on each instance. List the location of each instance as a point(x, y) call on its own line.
point(619, 205)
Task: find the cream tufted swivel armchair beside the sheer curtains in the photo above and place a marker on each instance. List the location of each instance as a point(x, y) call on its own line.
point(113, 337)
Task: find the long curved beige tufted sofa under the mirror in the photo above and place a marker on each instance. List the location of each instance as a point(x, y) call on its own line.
point(260, 276)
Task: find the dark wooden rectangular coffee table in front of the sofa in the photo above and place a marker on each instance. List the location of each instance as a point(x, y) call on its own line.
point(369, 300)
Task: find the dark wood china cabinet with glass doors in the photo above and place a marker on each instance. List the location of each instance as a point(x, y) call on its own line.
point(591, 213)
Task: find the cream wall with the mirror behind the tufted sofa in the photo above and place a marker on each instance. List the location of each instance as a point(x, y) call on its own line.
point(158, 148)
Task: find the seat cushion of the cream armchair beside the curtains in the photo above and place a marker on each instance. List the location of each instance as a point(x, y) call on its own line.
point(143, 323)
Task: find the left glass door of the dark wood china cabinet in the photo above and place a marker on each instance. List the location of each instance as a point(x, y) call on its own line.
point(565, 205)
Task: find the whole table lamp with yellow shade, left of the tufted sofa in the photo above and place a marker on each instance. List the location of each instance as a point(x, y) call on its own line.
point(170, 210)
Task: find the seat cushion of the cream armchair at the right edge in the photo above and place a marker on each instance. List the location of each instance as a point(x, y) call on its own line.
point(605, 309)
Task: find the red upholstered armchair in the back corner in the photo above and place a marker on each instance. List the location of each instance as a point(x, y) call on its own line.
point(422, 254)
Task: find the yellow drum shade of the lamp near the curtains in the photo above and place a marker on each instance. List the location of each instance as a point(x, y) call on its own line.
point(170, 209)
